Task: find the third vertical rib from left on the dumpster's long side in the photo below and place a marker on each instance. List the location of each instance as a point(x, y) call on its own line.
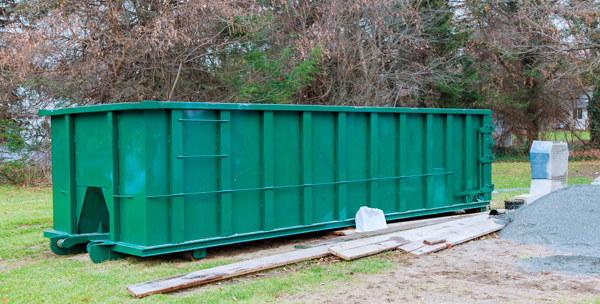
point(268, 210)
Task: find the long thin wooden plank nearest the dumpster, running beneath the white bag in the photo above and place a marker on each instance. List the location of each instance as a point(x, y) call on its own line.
point(393, 227)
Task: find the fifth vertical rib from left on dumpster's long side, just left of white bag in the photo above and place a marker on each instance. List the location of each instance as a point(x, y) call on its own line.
point(340, 161)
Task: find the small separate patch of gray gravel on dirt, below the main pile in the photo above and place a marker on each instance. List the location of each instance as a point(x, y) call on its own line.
point(574, 264)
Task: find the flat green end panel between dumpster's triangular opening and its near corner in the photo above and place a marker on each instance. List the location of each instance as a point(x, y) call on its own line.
point(132, 177)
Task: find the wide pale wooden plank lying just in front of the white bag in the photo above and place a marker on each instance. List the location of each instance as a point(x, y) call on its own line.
point(364, 247)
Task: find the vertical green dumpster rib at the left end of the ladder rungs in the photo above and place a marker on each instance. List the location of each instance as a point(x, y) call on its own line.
point(176, 177)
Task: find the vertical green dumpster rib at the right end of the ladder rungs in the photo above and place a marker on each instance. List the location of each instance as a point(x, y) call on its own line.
point(225, 208)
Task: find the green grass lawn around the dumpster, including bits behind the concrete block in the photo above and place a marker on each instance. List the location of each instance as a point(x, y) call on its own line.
point(30, 273)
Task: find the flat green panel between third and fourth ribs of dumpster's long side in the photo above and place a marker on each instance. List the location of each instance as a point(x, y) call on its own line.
point(286, 169)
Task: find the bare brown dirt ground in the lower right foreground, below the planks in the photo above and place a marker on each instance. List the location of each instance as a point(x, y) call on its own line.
point(484, 271)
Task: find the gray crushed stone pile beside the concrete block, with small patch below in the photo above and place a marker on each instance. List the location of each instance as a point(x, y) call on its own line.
point(566, 220)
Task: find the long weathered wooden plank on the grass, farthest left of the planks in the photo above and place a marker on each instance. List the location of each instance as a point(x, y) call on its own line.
point(222, 272)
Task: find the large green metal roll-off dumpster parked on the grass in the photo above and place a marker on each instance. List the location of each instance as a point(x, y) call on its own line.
point(152, 178)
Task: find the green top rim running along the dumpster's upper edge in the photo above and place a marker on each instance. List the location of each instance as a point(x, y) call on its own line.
point(158, 105)
